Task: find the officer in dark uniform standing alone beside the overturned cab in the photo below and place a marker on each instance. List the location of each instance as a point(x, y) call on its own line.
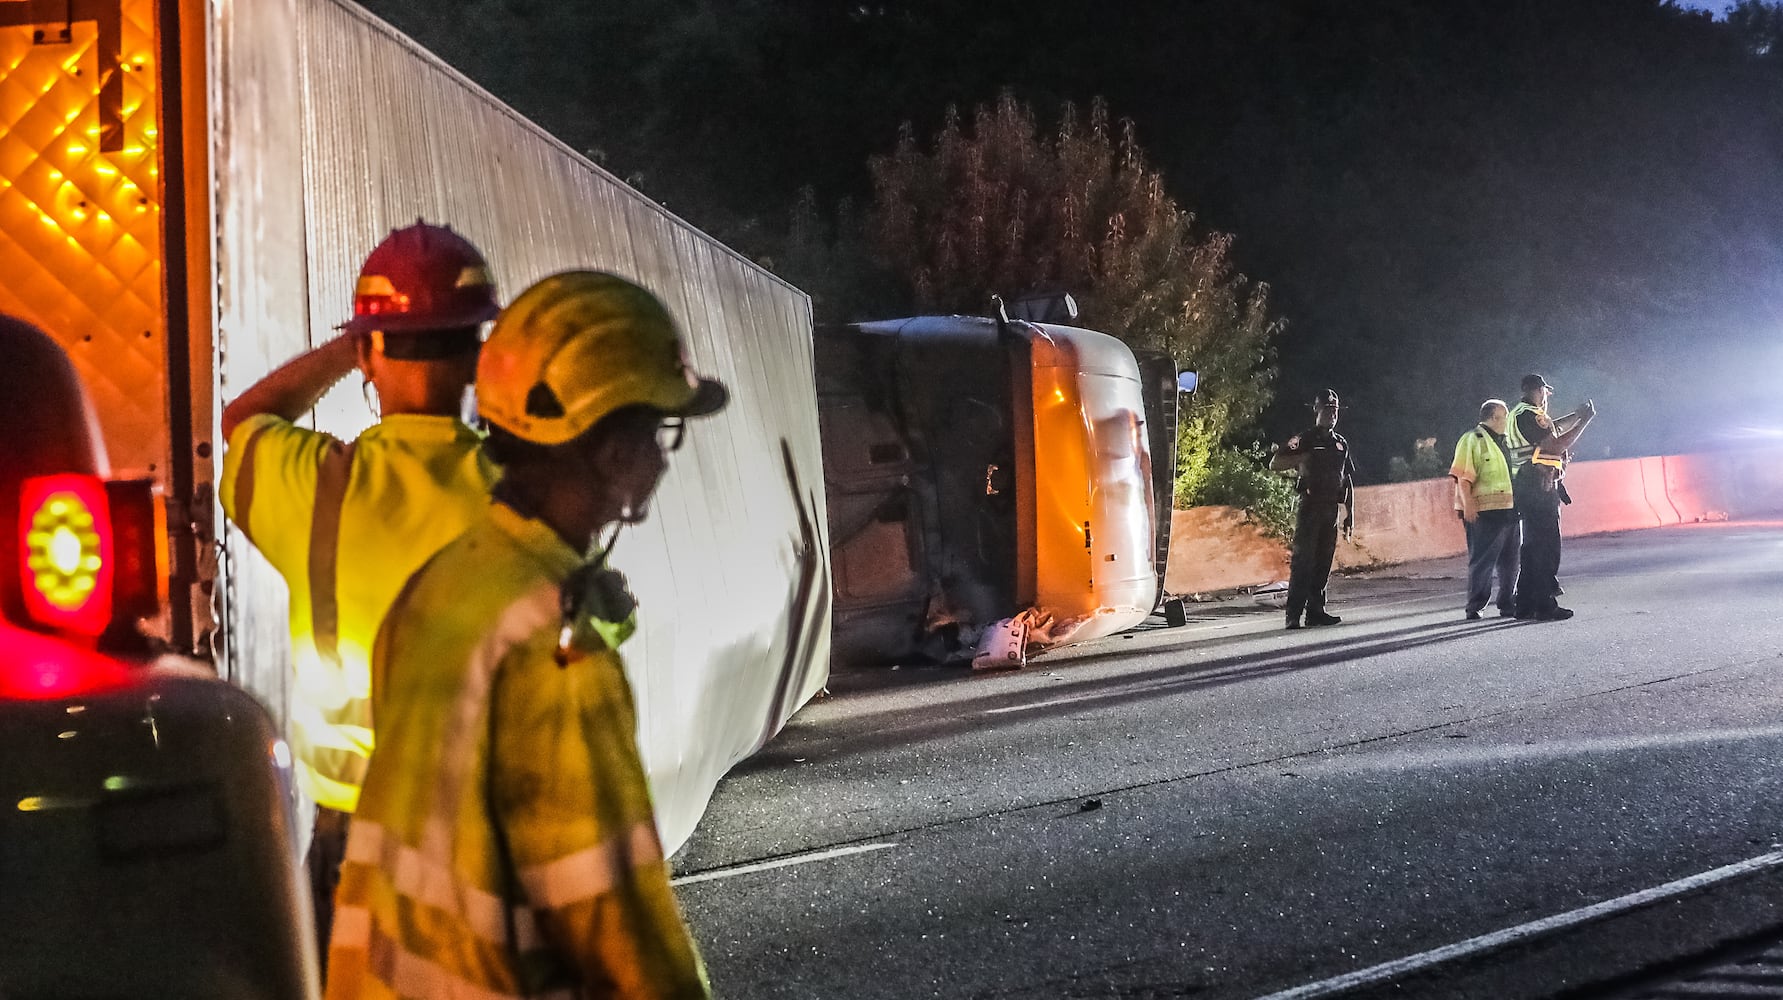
point(1327, 473)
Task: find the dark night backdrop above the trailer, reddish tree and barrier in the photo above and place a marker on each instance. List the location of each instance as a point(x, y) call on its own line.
point(1442, 197)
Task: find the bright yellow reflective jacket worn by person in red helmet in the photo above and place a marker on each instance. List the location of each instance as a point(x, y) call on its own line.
point(347, 525)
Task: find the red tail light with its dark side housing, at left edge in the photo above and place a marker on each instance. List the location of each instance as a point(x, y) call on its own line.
point(88, 552)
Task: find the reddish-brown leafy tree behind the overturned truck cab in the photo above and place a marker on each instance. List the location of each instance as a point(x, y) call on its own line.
point(999, 208)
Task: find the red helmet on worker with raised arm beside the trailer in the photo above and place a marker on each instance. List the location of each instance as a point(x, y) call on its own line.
point(423, 279)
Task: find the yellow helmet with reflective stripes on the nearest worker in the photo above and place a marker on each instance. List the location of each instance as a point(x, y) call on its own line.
point(580, 345)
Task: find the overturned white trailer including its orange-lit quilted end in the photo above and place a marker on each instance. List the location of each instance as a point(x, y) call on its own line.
point(186, 193)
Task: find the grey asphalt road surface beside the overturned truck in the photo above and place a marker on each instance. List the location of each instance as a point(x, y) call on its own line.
point(1404, 805)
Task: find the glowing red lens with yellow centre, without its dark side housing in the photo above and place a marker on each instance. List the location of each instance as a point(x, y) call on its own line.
point(67, 553)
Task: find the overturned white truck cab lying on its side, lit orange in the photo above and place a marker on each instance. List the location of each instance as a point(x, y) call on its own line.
point(992, 468)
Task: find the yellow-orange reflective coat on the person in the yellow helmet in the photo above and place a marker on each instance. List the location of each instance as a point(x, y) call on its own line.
point(505, 844)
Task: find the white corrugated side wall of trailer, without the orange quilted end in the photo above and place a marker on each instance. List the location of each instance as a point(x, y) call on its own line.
point(322, 156)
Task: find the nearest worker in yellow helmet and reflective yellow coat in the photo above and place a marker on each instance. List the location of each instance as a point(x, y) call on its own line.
point(505, 844)
